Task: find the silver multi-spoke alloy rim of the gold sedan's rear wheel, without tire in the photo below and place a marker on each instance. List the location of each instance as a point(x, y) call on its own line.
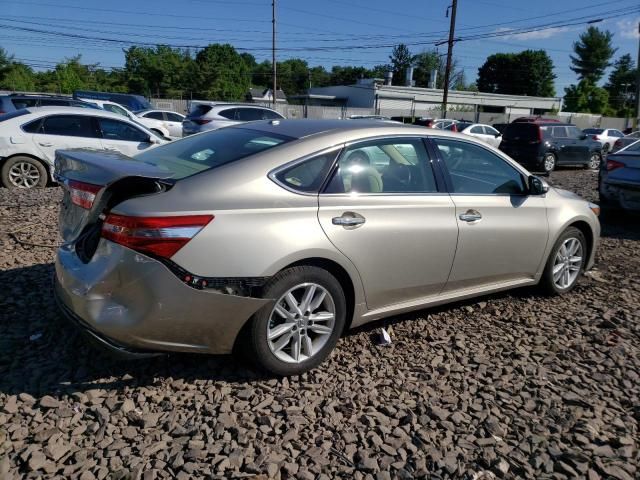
point(301, 322)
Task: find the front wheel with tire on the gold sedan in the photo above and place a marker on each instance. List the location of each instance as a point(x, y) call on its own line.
point(565, 263)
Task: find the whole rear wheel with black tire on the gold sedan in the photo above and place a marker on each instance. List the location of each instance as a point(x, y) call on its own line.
point(297, 332)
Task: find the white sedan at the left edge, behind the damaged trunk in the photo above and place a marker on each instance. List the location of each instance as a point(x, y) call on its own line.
point(30, 137)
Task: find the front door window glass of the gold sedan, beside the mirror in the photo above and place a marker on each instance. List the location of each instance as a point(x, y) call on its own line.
point(475, 170)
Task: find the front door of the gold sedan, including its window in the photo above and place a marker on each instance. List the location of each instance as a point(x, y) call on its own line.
point(503, 231)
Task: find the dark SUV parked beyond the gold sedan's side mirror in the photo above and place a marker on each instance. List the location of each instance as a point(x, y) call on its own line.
point(541, 146)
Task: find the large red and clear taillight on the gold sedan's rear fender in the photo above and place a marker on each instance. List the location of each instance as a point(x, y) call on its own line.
point(160, 236)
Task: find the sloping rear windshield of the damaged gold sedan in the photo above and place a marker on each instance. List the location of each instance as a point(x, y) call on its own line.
point(198, 153)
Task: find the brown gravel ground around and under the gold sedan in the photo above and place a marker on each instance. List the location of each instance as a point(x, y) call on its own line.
point(514, 385)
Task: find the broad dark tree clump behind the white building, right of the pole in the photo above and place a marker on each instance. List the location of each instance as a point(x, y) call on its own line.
point(529, 72)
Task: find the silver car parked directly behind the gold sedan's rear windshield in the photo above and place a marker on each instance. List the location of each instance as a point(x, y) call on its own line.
point(205, 116)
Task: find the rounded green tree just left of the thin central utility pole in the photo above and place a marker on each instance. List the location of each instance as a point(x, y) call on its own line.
point(221, 73)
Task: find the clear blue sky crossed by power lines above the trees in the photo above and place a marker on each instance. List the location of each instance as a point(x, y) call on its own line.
point(323, 32)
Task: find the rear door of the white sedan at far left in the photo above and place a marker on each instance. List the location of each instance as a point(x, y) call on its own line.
point(59, 132)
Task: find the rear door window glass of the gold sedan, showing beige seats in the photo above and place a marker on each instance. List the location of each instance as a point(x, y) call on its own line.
point(389, 165)
